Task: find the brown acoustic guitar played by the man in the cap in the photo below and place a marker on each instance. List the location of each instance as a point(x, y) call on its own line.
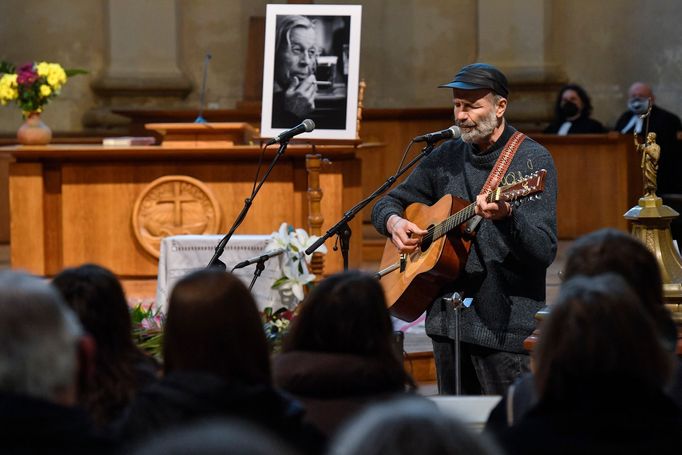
point(412, 281)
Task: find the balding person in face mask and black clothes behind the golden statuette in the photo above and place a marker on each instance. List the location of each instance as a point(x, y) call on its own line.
point(665, 124)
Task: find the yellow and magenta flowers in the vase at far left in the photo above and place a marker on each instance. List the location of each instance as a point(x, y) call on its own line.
point(32, 85)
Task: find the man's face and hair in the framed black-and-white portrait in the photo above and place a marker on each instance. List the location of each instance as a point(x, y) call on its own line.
point(296, 49)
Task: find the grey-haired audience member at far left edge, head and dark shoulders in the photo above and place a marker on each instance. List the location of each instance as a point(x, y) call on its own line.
point(44, 359)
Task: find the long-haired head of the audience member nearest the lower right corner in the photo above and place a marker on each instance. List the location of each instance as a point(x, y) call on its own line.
point(598, 337)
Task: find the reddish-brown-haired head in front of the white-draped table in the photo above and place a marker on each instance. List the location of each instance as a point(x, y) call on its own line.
point(213, 325)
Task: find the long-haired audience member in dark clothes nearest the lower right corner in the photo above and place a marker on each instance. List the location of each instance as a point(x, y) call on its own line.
point(600, 372)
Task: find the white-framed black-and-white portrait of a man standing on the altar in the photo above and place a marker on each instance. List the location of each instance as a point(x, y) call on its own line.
point(311, 69)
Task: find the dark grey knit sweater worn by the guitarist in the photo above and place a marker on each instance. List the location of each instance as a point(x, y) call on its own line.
point(506, 268)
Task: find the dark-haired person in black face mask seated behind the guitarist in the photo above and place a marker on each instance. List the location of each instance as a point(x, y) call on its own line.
point(572, 113)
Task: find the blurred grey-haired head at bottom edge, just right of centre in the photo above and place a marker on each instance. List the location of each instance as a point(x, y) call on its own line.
point(408, 426)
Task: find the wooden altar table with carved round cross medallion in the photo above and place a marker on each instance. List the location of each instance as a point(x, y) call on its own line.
point(71, 204)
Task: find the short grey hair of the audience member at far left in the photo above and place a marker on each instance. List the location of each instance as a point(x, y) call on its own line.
point(38, 337)
